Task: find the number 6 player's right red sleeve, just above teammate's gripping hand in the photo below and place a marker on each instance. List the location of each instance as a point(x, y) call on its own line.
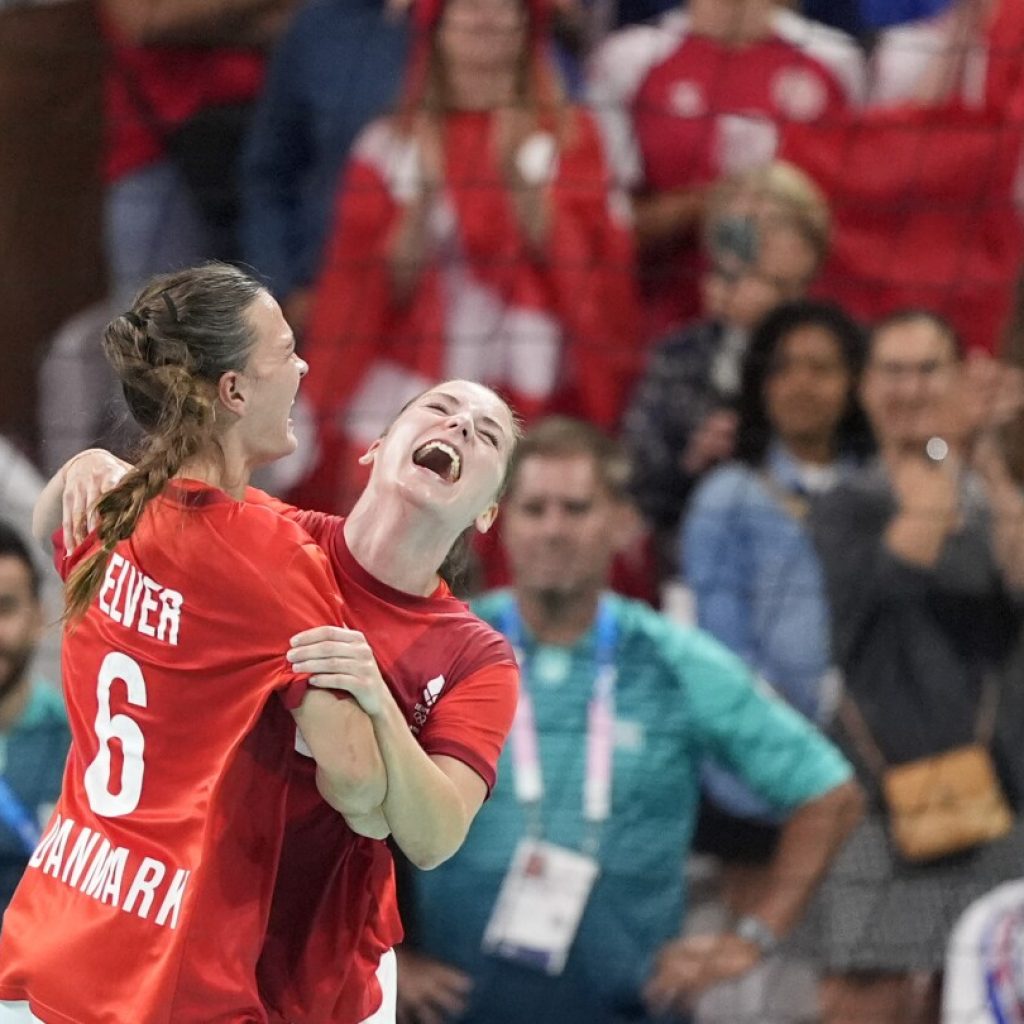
point(310, 598)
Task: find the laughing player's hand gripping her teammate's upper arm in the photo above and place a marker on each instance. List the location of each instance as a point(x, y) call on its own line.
point(339, 659)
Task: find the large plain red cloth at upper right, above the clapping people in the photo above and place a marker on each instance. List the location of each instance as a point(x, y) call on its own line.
point(924, 212)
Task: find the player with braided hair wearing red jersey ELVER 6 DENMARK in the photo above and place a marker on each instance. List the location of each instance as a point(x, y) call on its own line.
point(149, 898)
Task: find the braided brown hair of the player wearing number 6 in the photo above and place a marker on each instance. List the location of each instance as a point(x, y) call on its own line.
point(169, 351)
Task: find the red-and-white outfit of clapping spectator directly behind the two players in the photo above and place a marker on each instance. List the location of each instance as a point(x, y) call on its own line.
point(552, 332)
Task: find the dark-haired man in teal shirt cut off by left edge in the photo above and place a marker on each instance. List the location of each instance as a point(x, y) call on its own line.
point(34, 736)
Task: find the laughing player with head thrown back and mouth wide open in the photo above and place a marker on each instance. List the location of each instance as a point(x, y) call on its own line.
point(439, 685)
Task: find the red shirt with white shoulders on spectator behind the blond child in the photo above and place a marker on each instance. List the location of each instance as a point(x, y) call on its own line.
point(681, 110)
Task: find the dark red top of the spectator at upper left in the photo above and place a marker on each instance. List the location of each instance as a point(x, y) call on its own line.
point(150, 91)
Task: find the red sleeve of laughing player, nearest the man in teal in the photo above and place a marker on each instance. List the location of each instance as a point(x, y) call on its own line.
point(473, 721)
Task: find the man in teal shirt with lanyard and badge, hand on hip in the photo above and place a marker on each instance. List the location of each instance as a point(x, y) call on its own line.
point(673, 697)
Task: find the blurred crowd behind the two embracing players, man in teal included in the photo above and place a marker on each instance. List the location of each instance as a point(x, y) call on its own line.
point(747, 269)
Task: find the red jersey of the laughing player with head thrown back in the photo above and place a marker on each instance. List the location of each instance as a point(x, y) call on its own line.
point(334, 910)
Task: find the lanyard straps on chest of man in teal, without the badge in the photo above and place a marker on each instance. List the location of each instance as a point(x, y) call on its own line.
point(601, 727)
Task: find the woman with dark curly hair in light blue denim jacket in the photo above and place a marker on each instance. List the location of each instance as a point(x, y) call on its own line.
point(745, 550)
